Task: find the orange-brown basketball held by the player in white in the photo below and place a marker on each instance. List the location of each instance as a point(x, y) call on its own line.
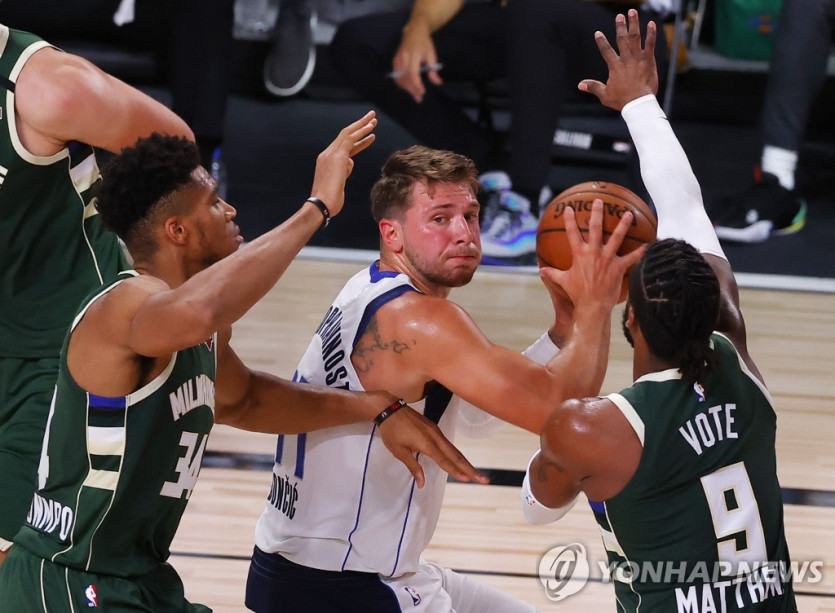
point(552, 247)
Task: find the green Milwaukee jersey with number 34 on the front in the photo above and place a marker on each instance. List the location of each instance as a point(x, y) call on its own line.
point(116, 473)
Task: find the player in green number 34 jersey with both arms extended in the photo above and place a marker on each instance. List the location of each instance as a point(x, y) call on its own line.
point(147, 368)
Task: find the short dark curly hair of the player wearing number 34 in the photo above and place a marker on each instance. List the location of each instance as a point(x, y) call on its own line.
point(136, 182)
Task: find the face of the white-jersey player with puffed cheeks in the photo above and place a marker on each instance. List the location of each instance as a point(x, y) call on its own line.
point(441, 234)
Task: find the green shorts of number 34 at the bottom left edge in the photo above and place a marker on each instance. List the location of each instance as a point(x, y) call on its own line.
point(30, 584)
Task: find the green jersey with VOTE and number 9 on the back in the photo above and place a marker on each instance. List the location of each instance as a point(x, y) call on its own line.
point(704, 508)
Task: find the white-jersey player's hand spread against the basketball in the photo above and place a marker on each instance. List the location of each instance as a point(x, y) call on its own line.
point(596, 271)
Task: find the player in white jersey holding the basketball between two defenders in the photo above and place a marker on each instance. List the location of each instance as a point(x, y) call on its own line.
point(344, 527)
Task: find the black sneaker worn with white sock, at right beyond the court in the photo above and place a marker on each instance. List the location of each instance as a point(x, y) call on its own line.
point(765, 209)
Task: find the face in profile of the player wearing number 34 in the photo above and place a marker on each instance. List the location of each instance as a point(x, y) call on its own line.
point(219, 236)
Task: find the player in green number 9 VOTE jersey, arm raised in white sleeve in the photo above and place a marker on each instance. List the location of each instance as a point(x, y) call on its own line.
point(679, 468)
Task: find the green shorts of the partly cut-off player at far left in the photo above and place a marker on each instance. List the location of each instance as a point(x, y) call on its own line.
point(26, 388)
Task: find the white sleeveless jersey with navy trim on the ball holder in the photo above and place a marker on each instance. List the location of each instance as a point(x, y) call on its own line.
point(339, 500)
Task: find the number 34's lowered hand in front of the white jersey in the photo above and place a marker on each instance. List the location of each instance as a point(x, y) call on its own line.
point(407, 433)
